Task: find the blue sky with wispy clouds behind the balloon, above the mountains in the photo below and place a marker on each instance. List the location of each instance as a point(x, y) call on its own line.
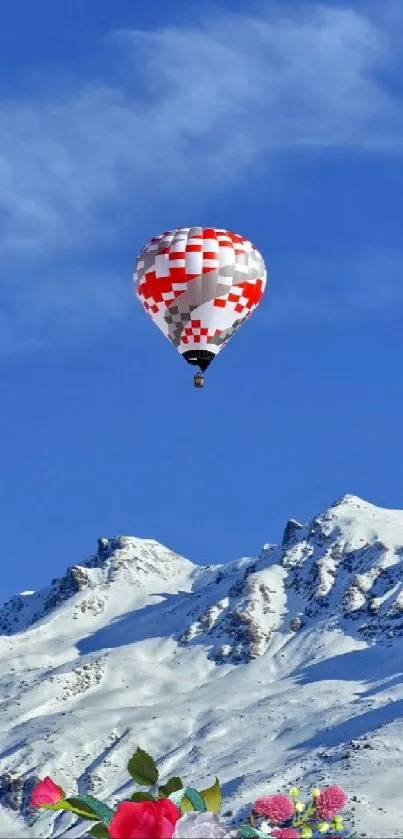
point(280, 121)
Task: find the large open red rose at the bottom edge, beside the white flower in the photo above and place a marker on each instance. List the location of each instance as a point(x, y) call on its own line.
point(144, 820)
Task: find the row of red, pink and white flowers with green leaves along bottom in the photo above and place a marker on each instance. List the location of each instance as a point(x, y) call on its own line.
point(175, 811)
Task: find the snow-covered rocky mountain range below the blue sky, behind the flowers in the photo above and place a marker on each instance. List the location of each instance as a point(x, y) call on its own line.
point(285, 668)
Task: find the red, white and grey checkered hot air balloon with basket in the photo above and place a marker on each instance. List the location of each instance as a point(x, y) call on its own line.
point(199, 285)
